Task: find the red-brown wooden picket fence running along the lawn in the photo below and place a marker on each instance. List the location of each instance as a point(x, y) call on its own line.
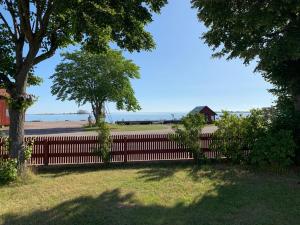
point(125, 148)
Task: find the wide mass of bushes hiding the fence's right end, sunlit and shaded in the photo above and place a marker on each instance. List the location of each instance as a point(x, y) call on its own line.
point(268, 145)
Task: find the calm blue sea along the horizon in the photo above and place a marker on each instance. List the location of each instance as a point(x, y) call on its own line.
point(113, 117)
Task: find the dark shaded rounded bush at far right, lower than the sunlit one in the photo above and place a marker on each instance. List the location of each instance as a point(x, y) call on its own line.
point(275, 149)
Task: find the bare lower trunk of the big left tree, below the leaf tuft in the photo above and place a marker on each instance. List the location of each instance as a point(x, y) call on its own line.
point(16, 137)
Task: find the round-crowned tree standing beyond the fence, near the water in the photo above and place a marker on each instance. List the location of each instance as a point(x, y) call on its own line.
point(96, 78)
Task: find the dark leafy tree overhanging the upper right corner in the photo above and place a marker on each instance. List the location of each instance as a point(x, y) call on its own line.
point(261, 30)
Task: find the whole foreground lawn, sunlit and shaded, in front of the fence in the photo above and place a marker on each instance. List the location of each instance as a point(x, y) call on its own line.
point(157, 194)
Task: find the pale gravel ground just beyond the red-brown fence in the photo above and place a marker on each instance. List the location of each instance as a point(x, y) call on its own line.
point(75, 128)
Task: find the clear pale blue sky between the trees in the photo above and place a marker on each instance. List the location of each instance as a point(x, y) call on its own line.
point(176, 76)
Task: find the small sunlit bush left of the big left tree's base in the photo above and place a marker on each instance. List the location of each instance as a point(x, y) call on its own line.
point(8, 170)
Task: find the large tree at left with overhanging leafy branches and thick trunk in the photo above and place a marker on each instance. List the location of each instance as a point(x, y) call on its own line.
point(32, 30)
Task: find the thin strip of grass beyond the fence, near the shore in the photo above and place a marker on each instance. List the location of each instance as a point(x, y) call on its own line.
point(116, 127)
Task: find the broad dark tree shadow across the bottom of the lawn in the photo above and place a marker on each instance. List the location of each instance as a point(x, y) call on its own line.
point(229, 203)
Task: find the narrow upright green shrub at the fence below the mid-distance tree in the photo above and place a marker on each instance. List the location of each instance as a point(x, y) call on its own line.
point(105, 141)
